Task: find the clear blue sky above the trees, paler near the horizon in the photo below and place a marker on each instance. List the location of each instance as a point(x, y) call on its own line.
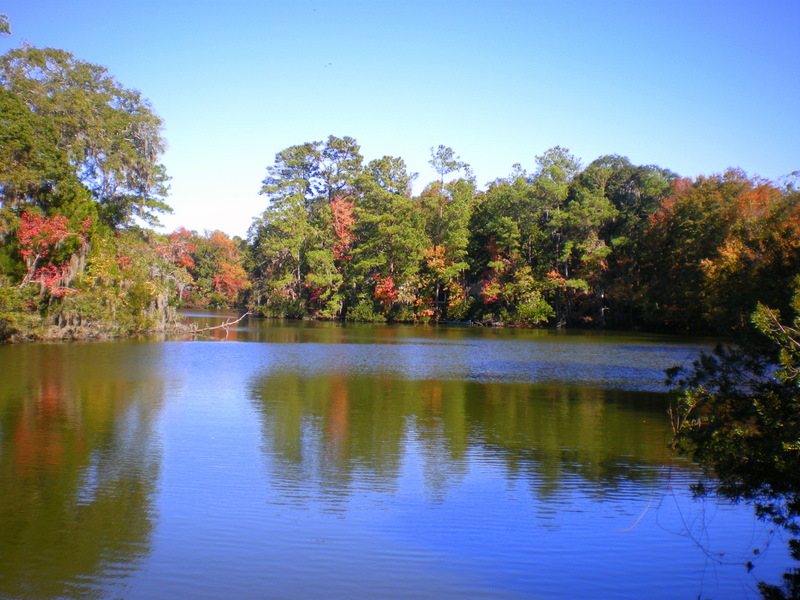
point(694, 86)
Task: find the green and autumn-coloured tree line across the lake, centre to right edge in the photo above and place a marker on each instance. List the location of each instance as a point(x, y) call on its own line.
point(611, 244)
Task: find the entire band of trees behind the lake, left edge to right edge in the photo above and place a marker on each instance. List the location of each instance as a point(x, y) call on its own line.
point(609, 244)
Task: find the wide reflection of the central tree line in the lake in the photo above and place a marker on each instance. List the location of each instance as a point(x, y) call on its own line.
point(332, 432)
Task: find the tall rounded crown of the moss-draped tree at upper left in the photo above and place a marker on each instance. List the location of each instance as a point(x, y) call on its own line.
point(111, 135)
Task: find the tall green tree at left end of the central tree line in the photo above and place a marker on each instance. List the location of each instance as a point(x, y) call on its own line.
point(296, 241)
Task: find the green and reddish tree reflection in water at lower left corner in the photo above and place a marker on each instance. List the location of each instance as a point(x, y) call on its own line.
point(78, 468)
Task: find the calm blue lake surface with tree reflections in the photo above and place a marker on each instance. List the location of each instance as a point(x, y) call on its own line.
point(325, 461)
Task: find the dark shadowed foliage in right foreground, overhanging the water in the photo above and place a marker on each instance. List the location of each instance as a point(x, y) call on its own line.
point(738, 415)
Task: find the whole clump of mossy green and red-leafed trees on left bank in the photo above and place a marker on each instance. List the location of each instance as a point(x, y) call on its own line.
point(78, 161)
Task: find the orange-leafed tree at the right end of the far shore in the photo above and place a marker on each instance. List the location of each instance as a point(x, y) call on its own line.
point(717, 246)
